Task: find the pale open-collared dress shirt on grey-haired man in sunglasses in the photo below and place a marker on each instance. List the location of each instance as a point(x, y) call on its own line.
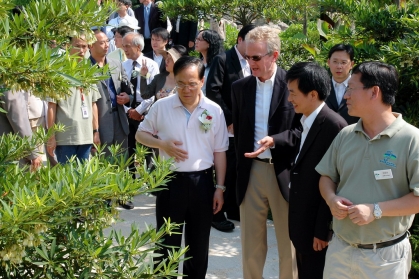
point(264, 92)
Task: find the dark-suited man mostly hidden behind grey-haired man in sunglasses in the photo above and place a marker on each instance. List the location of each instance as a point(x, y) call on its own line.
point(225, 69)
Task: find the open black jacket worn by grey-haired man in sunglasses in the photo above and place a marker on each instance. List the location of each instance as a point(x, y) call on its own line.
point(281, 118)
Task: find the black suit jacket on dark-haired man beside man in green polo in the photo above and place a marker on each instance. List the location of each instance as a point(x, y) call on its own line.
point(309, 215)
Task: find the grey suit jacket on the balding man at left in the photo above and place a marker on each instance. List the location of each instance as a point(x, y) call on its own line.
point(104, 104)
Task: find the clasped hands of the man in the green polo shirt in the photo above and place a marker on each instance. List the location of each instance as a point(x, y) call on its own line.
point(360, 214)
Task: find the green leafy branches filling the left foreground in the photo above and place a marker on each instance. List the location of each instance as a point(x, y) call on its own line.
point(52, 220)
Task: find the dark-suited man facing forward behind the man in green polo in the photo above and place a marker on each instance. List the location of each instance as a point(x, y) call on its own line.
point(340, 61)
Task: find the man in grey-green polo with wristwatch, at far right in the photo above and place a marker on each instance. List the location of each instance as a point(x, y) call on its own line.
point(370, 181)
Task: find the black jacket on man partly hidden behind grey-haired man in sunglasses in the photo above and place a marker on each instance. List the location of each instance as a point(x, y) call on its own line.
point(225, 69)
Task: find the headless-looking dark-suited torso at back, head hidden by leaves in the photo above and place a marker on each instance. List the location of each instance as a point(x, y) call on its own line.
point(184, 33)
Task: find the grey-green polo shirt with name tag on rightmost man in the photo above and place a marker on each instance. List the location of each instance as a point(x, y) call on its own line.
point(351, 161)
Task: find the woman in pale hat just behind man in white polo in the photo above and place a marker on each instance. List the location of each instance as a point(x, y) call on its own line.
point(163, 84)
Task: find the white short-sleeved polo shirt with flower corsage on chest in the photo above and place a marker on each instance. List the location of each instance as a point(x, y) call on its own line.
point(168, 120)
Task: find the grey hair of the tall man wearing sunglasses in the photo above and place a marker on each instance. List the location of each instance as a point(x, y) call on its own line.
point(265, 34)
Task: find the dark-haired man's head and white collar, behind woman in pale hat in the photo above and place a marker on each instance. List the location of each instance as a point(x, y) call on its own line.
point(159, 40)
